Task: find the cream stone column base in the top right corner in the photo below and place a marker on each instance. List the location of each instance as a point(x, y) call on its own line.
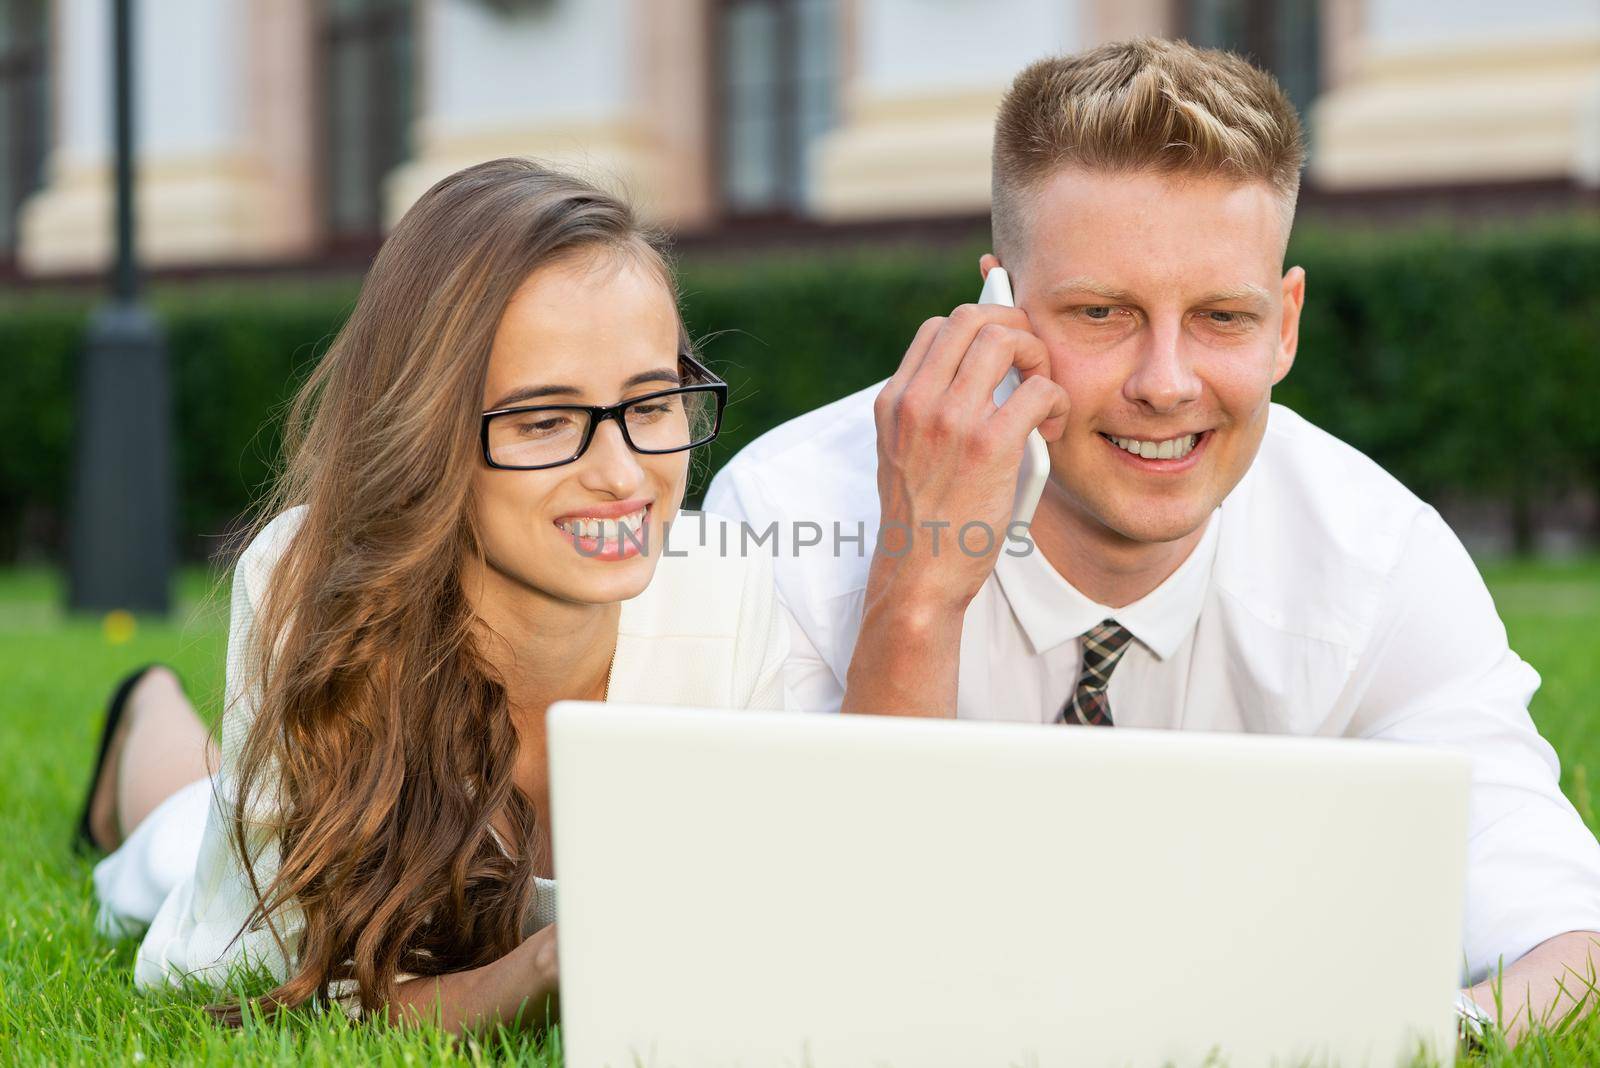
point(1466, 92)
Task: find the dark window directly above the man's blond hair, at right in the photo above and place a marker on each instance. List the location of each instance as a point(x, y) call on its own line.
point(1279, 36)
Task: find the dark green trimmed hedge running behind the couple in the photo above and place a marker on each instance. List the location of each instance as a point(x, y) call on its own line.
point(1466, 364)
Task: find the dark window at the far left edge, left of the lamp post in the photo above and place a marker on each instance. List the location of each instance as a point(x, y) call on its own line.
point(23, 111)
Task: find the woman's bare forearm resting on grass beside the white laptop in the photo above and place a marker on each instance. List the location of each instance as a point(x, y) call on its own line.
point(522, 989)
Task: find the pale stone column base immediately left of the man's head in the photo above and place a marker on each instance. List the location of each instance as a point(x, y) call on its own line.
point(921, 97)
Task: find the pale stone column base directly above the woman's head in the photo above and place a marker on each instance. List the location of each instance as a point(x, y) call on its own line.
point(612, 90)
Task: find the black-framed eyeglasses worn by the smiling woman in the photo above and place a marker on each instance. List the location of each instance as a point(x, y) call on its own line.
point(535, 437)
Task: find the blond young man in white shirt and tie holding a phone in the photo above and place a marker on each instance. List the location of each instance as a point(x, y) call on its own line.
point(1204, 559)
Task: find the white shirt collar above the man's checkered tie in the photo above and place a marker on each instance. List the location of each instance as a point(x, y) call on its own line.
point(1052, 612)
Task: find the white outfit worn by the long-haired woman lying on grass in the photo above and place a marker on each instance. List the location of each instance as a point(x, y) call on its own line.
point(708, 632)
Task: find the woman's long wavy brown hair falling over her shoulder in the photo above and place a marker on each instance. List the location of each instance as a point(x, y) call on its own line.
point(382, 743)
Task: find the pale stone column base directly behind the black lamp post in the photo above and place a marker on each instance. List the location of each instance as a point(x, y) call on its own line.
point(225, 137)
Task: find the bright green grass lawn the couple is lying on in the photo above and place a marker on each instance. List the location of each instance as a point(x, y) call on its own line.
point(66, 995)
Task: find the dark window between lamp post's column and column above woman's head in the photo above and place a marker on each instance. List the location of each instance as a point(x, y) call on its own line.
point(367, 110)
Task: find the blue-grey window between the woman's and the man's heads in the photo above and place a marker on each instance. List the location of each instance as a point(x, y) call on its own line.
point(777, 94)
